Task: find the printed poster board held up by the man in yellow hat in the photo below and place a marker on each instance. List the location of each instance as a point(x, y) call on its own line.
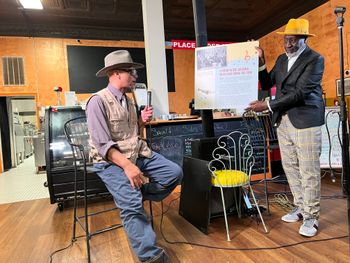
point(226, 76)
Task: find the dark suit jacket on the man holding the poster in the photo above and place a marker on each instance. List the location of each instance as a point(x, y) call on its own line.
point(299, 91)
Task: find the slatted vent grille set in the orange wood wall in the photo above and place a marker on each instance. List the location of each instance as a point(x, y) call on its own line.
point(12, 70)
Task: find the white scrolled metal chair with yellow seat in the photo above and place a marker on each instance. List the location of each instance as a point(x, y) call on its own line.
point(231, 167)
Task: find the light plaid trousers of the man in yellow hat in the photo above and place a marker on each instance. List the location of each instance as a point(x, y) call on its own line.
point(300, 152)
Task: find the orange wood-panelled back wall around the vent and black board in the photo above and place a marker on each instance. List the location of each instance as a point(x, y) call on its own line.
point(46, 66)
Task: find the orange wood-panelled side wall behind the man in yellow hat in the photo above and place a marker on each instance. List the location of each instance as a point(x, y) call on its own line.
point(322, 23)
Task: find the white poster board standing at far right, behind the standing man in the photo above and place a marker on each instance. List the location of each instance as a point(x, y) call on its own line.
point(333, 124)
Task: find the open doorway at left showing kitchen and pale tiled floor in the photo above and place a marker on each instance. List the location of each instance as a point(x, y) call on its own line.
point(20, 180)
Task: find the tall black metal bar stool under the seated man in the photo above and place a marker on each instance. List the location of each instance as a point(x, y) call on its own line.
point(77, 134)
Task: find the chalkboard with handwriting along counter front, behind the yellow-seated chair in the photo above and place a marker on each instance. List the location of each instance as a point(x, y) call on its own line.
point(173, 139)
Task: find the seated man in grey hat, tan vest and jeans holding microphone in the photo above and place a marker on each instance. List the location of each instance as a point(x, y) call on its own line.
point(130, 170)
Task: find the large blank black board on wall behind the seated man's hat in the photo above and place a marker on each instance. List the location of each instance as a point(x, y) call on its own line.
point(85, 61)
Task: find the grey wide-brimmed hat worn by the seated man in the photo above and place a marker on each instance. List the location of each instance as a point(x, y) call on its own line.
point(119, 59)
